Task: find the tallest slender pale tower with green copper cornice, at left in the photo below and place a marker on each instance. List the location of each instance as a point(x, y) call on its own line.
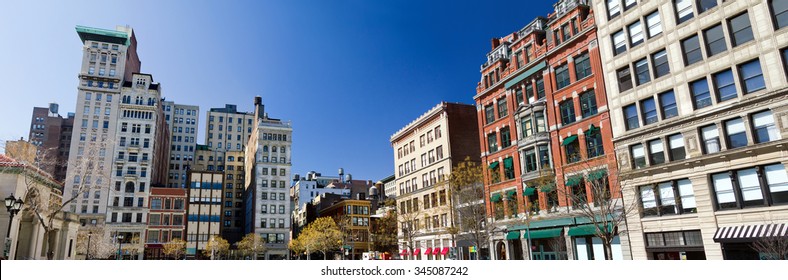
point(109, 57)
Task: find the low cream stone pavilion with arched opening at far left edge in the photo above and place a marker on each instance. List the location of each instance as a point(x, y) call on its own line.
point(26, 239)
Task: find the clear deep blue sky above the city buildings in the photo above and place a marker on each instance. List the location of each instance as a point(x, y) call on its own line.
point(347, 73)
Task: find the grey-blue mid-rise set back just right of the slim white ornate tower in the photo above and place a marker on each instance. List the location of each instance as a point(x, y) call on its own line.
point(183, 122)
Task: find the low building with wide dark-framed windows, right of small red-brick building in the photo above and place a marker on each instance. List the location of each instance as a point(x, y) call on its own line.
point(204, 211)
